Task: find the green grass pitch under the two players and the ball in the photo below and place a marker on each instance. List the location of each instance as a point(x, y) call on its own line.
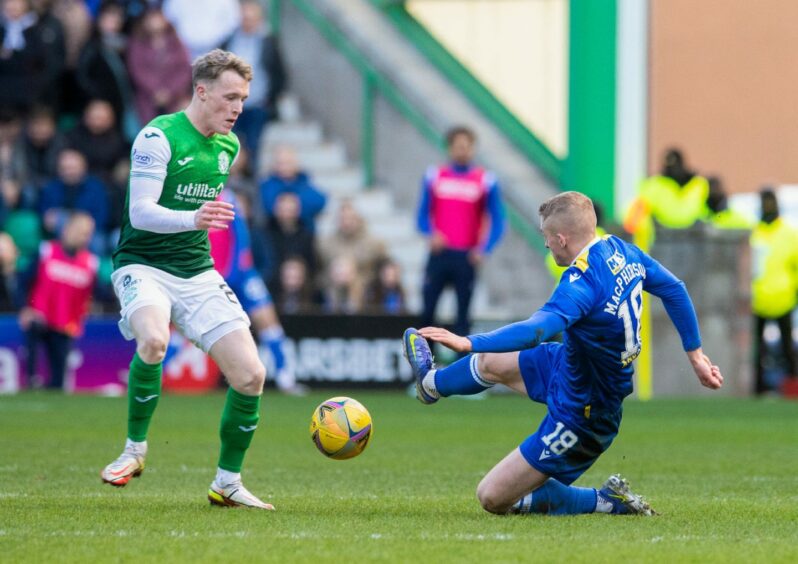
point(723, 473)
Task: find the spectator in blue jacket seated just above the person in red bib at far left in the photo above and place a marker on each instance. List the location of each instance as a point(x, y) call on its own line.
point(74, 189)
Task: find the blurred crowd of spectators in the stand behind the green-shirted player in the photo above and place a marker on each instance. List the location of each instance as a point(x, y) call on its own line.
point(79, 79)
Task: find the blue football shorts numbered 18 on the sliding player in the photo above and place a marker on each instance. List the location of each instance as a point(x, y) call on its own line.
point(566, 443)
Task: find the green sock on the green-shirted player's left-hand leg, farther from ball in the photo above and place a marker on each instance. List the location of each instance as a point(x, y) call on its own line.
point(143, 392)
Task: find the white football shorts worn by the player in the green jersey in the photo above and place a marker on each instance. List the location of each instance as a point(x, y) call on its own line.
point(203, 308)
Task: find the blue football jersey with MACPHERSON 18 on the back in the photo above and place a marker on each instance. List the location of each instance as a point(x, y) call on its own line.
point(600, 296)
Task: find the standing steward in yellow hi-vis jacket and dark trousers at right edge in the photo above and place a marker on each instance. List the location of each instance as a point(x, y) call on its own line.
point(774, 257)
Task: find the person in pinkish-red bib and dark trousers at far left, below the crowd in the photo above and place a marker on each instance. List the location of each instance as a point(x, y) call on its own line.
point(60, 298)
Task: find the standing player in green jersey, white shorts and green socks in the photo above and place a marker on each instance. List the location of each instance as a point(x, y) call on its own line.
point(163, 271)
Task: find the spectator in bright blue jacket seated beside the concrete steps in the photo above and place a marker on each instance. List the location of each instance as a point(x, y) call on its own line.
point(287, 178)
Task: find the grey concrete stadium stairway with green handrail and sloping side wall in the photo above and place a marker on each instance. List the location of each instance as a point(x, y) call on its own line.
point(377, 111)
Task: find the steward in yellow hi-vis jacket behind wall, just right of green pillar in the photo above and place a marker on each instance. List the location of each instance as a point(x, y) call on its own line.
point(675, 199)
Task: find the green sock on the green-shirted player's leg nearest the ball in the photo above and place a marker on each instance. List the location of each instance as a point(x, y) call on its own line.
point(239, 421)
